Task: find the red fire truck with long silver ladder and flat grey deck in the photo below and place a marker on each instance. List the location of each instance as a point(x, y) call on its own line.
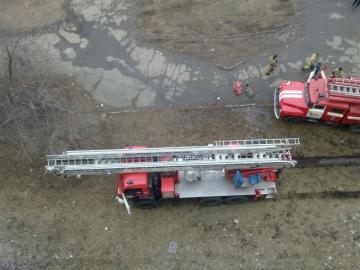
point(232, 171)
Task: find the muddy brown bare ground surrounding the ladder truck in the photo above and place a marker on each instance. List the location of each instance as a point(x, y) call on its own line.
point(55, 223)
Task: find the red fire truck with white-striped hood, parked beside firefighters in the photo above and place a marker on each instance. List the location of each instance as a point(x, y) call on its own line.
point(330, 100)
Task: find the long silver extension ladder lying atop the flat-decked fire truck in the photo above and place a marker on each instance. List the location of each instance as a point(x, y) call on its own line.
point(232, 154)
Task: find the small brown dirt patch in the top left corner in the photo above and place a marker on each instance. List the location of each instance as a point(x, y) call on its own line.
point(25, 15)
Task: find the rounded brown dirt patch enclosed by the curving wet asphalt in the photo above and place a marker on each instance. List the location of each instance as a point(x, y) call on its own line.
point(224, 32)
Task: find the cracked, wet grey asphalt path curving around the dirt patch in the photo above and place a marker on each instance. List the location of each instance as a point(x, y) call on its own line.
point(108, 62)
